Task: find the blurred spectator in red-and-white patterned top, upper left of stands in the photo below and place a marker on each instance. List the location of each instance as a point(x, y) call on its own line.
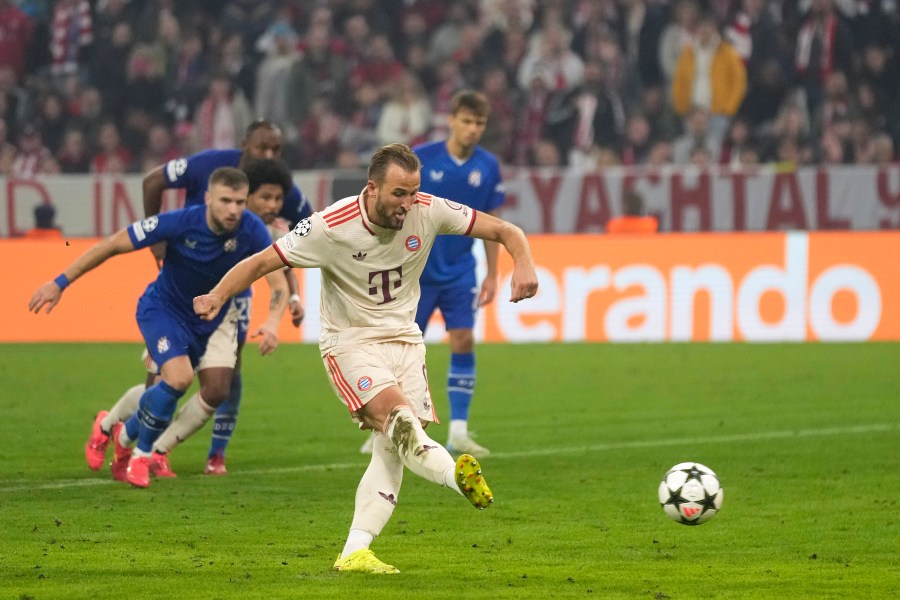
point(71, 32)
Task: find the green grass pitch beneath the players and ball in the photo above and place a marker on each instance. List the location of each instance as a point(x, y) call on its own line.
point(805, 438)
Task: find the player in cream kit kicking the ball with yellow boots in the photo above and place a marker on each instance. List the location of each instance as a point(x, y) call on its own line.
point(371, 250)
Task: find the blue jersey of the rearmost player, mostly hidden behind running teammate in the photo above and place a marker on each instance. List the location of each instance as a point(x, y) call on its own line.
point(192, 174)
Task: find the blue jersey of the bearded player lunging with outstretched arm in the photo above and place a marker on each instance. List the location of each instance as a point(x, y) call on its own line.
point(196, 258)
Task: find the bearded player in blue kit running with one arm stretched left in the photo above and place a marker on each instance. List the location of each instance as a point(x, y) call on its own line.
point(203, 243)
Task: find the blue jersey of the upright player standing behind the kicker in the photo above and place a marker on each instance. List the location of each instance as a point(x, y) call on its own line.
point(476, 183)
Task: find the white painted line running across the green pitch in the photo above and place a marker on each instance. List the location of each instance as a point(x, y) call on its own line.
point(22, 485)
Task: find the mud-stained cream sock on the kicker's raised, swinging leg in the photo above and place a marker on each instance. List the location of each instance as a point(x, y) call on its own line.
point(418, 452)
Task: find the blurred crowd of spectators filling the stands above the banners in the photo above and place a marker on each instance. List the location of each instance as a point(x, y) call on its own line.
point(116, 86)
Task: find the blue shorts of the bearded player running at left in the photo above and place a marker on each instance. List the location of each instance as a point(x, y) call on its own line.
point(166, 335)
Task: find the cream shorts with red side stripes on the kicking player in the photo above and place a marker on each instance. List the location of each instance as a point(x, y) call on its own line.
point(359, 373)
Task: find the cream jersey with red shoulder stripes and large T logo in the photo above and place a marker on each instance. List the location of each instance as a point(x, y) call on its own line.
point(370, 275)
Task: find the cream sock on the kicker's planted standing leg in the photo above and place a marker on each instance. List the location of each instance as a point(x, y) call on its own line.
point(376, 495)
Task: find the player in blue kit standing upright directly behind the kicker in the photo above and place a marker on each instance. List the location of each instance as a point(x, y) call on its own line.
point(461, 170)
